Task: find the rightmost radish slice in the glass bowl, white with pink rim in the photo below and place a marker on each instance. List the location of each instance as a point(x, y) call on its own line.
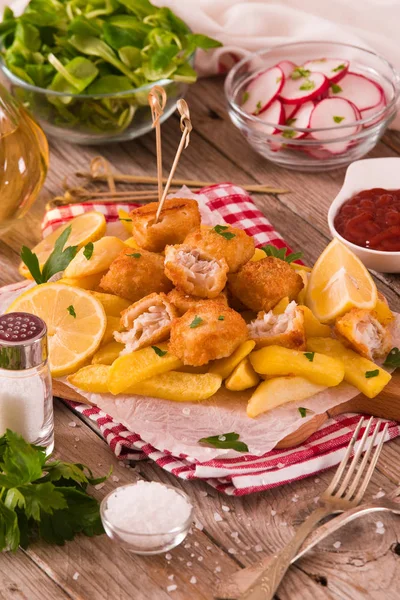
point(360, 90)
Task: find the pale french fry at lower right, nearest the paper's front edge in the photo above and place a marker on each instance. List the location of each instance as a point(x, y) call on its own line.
point(280, 390)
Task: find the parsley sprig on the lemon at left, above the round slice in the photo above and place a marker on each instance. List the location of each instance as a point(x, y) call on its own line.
point(58, 260)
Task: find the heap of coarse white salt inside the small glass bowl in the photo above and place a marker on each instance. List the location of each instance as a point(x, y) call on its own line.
point(148, 508)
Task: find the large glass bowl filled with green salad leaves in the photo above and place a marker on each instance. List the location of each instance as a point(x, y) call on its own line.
point(84, 69)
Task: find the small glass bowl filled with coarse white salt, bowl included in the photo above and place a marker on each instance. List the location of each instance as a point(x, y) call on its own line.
point(147, 517)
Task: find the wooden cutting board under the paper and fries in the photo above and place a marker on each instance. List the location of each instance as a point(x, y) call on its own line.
point(385, 406)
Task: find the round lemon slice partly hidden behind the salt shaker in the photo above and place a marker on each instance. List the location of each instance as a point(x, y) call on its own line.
point(75, 321)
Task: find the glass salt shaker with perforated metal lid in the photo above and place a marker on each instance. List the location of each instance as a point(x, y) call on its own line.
point(26, 399)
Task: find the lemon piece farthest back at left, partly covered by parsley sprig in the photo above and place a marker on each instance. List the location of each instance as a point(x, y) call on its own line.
point(86, 228)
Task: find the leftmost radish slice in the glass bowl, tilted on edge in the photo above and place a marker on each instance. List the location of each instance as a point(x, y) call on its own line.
point(263, 90)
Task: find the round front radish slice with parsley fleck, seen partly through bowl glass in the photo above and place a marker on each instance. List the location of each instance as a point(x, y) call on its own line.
point(332, 114)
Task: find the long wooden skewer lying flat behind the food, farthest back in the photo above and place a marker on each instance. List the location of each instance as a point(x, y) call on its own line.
point(150, 180)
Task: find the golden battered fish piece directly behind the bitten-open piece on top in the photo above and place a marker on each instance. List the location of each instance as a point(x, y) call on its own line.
point(223, 241)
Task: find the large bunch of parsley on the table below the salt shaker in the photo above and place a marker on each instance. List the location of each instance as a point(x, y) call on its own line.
point(43, 498)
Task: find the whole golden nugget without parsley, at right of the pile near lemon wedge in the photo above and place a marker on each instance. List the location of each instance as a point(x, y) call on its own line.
point(261, 284)
